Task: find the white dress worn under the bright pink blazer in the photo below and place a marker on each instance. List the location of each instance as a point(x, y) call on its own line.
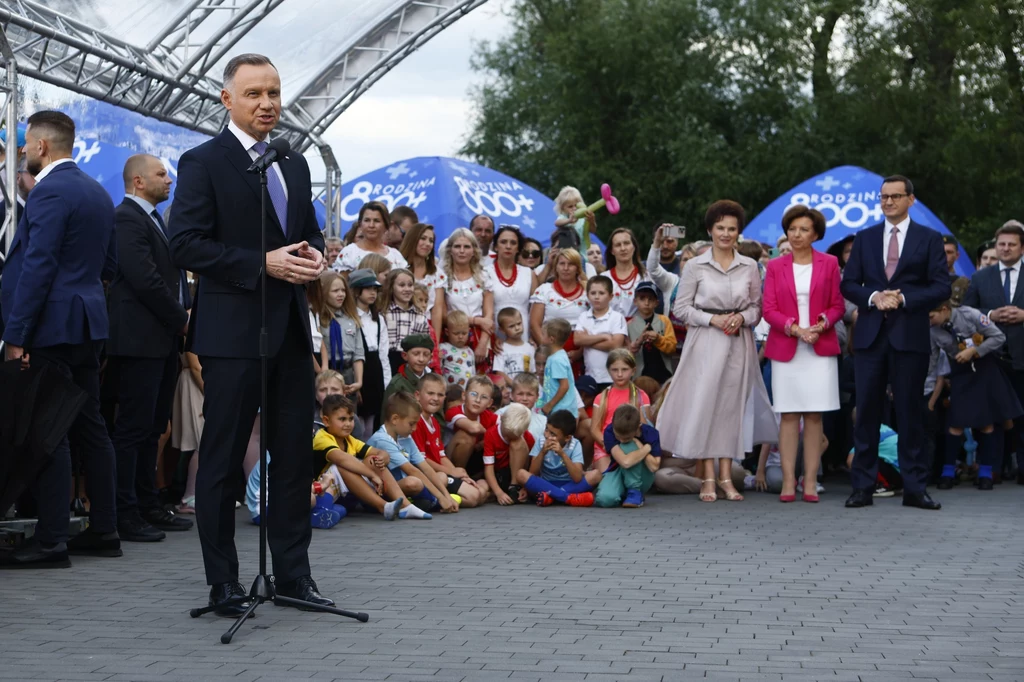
point(809, 382)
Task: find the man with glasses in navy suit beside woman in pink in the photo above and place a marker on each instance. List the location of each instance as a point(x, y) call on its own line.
point(897, 274)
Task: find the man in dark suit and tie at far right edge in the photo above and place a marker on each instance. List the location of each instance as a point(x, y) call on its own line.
point(997, 292)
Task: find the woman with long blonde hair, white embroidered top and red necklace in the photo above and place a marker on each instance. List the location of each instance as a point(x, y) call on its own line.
point(470, 288)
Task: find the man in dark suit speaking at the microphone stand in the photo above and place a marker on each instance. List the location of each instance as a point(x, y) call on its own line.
point(216, 233)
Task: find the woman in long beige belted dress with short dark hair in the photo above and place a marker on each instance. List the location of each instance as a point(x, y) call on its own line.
point(718, 402)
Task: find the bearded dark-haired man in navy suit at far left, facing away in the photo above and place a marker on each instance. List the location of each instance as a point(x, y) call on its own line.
point(56, 314)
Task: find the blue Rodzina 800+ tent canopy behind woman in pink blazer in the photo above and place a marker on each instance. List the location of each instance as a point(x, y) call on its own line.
point(848, 196)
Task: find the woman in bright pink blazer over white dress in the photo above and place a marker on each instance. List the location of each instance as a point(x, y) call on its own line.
point(802, 304)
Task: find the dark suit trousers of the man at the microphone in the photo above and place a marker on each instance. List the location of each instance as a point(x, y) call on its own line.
point(231, 404)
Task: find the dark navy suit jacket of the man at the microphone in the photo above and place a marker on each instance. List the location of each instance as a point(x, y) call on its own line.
point(216, 233)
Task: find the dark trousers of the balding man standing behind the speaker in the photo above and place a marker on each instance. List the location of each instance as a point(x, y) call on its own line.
point(146, 392)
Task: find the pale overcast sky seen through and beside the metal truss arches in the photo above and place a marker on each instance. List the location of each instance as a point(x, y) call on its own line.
point(421, 108)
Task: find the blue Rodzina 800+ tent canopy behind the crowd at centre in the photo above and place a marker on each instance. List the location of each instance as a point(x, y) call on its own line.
point(448, 193)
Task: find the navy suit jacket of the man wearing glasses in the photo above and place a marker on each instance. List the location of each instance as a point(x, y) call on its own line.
point(921, 277)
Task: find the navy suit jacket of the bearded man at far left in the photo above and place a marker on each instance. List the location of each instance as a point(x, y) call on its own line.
point(53, 291)
